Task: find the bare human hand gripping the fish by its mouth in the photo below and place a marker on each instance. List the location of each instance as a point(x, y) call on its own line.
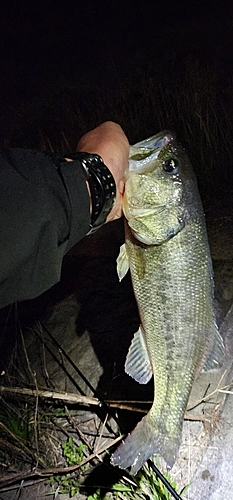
point(110, 142)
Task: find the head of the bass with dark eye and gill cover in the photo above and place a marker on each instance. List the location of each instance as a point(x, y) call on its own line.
point(155, 197)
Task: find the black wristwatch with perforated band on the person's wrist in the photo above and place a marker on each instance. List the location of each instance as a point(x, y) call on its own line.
point(102, 187)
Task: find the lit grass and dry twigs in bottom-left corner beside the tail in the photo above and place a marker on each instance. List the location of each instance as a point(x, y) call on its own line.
point(47, 440)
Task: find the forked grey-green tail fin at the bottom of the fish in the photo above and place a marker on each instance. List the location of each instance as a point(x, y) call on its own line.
point(141, 444)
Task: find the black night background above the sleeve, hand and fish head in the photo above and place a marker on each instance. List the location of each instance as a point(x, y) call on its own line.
point(68, 65)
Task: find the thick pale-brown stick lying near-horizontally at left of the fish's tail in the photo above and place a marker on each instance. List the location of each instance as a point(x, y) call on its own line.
point(64, 396)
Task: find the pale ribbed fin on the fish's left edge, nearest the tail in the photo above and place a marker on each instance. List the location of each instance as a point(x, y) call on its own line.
point(138, 364)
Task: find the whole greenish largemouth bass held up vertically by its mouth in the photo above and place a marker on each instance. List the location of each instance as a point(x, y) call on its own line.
point(167, 251)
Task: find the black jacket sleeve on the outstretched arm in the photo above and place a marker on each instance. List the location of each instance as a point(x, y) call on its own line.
point(44, 211)
